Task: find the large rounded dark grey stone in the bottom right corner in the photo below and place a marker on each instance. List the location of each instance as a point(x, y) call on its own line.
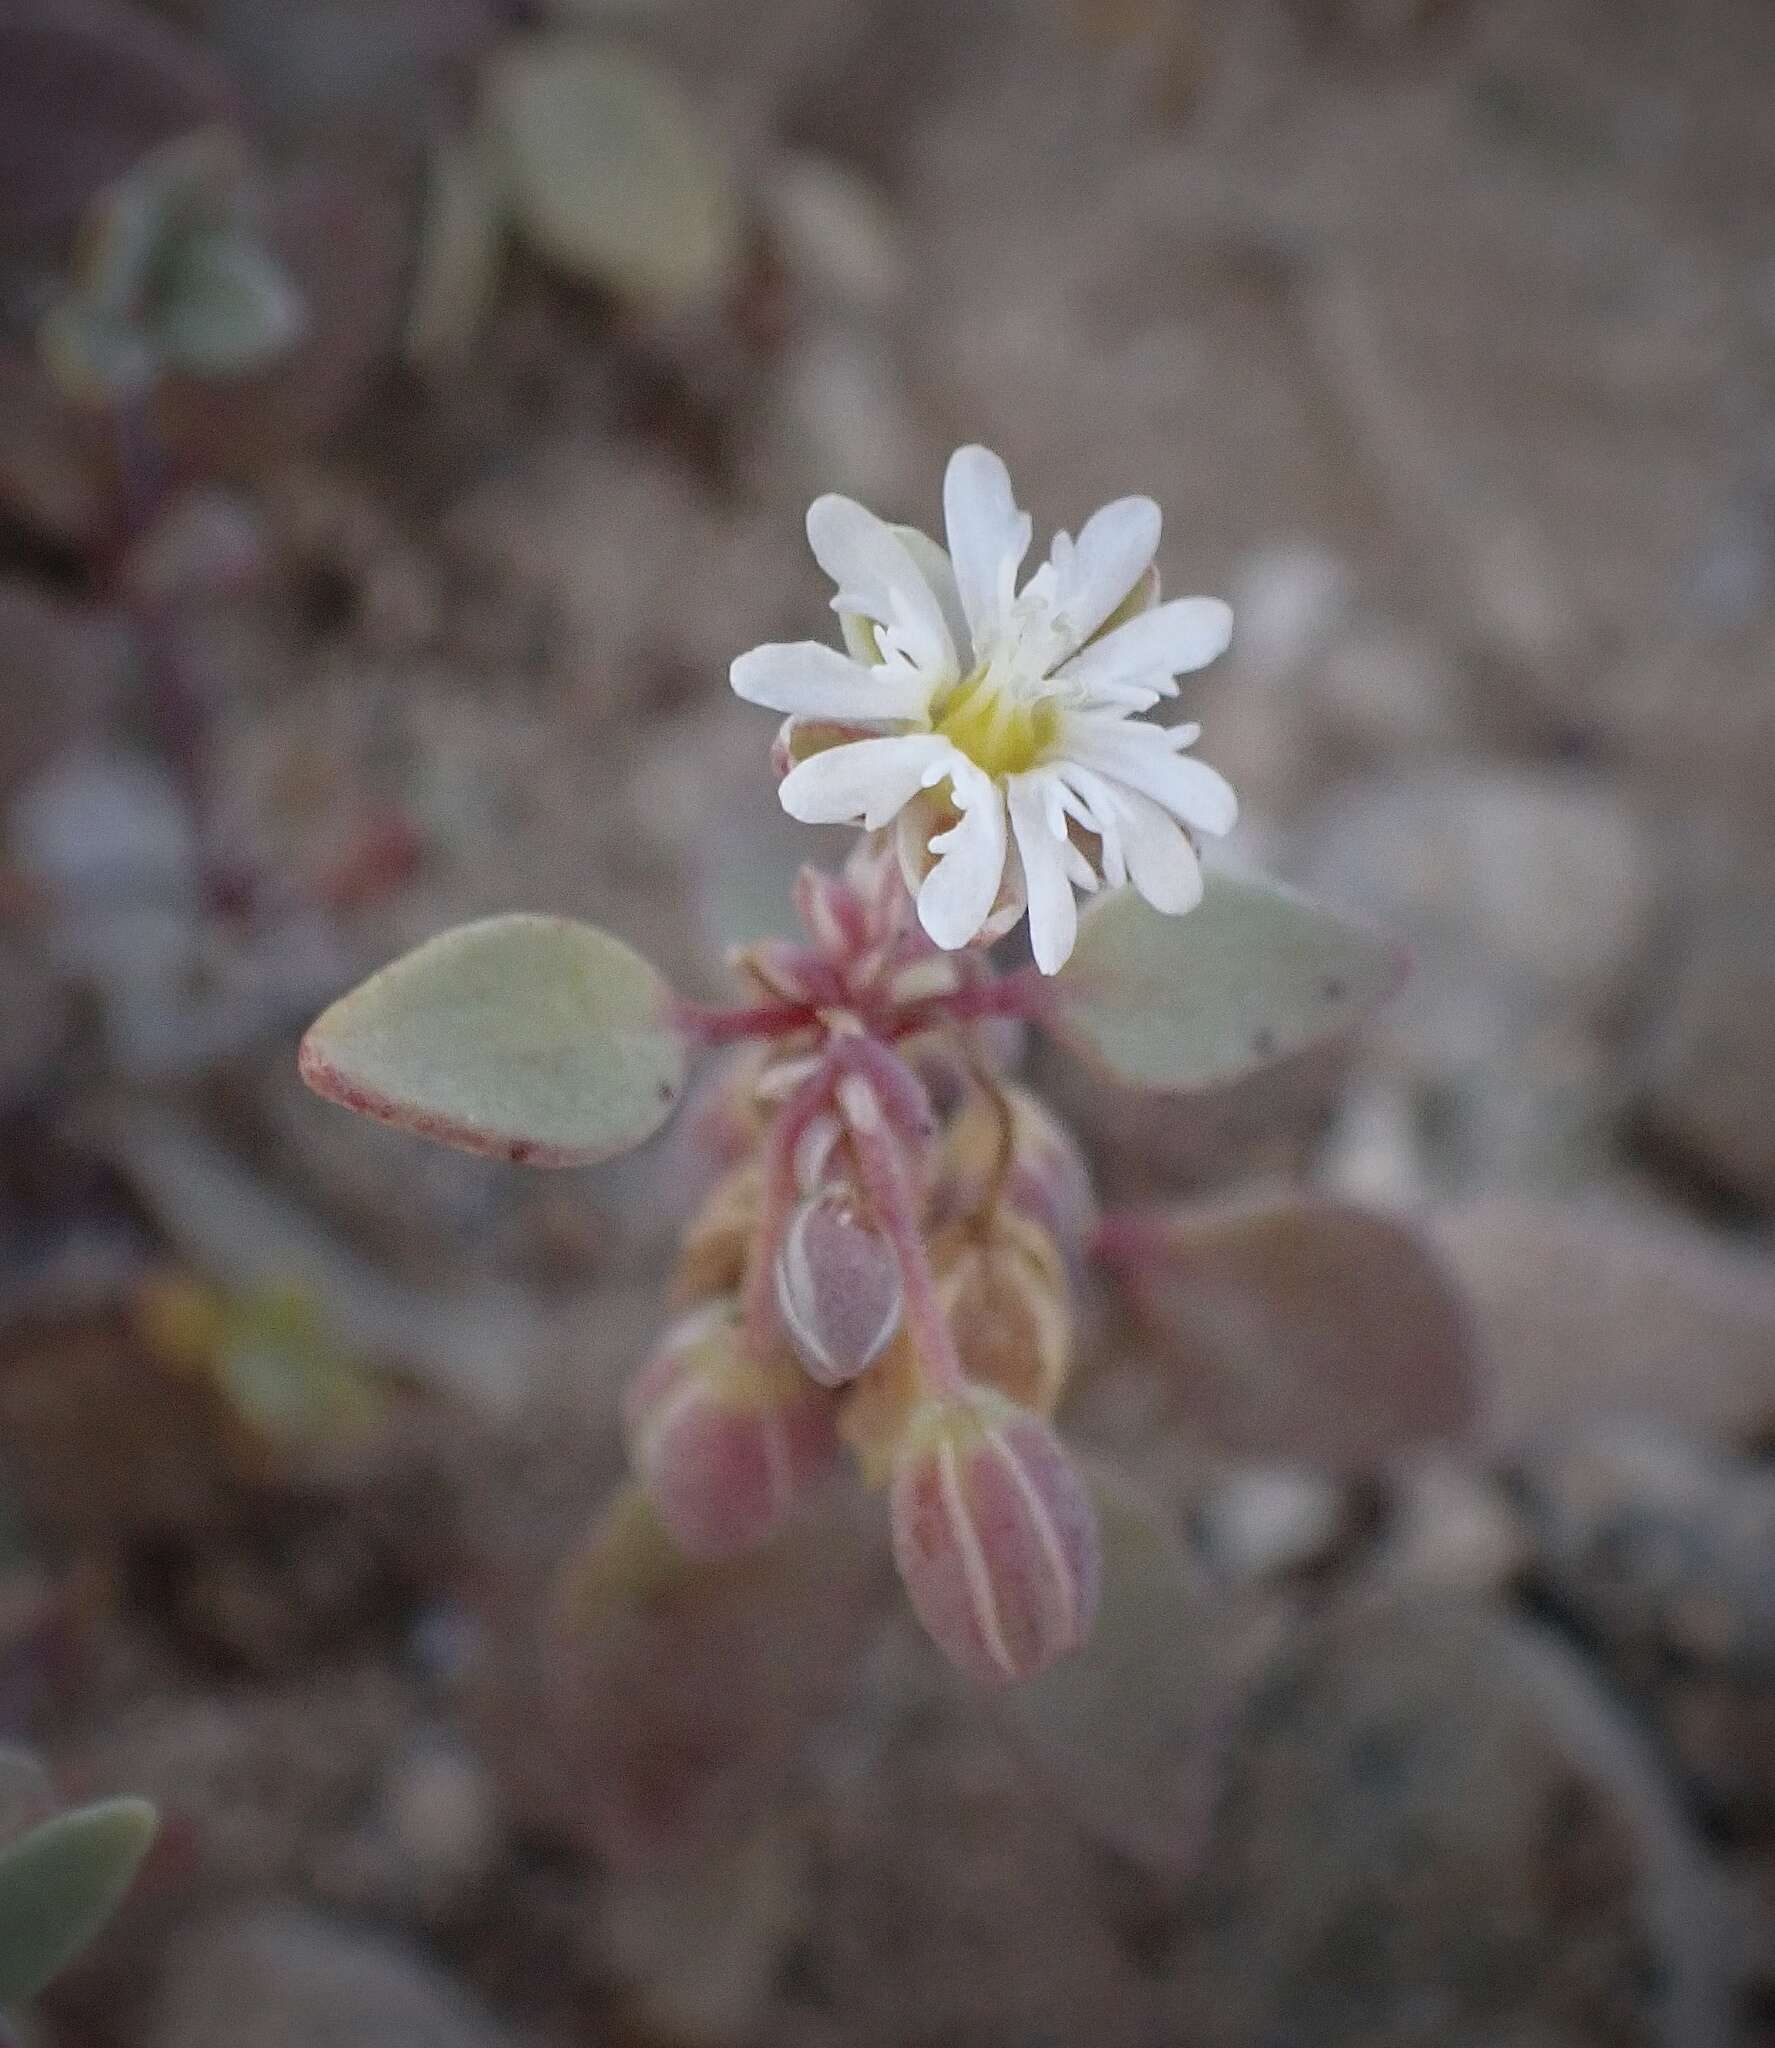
point(1438, 1830)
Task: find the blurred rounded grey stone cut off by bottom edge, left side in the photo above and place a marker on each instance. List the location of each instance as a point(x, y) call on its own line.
point(279, 1977)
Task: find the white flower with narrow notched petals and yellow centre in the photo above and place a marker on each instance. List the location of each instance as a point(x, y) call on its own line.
point(1002, 728)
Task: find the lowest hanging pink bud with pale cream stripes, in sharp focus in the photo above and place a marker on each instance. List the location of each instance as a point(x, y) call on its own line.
point(996, 1537)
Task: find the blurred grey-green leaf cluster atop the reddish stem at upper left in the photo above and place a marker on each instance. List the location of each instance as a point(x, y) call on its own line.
point(173, 278)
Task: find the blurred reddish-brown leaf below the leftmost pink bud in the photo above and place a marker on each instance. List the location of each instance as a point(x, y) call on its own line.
point(683, 1691)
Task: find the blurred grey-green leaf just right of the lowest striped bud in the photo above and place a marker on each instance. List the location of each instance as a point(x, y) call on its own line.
point(1127, 1727)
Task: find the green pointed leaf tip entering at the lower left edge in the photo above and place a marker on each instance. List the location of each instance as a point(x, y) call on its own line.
point(60, 1885)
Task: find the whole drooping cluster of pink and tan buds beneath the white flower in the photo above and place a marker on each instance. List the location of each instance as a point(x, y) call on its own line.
point(883, 1267)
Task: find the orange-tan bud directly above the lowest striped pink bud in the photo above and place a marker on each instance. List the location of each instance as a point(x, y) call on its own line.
point(1004, 1291)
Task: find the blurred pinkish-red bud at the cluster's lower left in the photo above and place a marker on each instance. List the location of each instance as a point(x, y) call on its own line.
point(726, 1443)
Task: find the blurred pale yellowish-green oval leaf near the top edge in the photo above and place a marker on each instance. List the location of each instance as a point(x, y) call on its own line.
point(611, 171)
